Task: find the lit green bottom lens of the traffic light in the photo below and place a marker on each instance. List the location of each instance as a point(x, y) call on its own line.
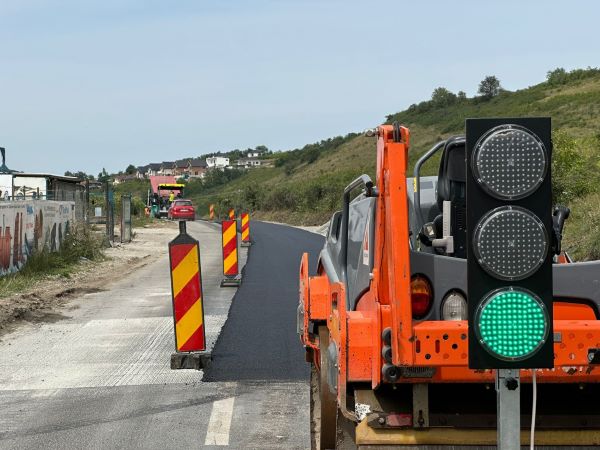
point(512, 324)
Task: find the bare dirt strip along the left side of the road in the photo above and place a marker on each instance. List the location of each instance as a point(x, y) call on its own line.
point(44, 299)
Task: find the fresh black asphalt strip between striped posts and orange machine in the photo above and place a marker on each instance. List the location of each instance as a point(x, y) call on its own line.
point(259, 340)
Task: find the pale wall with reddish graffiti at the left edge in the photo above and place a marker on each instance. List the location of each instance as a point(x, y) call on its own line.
point(27, 226)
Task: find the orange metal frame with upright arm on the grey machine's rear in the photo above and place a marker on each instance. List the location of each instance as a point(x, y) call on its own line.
point(439, 344)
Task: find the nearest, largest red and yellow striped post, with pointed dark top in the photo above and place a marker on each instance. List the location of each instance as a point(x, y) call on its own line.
point(188, 307)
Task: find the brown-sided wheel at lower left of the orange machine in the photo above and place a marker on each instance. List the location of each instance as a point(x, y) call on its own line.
point(323, 404)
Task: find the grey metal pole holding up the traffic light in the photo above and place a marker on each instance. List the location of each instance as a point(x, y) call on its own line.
point(508, 389)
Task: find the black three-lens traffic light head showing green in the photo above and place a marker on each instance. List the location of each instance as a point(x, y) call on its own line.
point(509, 243)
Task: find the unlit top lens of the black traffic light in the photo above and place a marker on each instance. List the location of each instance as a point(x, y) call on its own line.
point(509, 162)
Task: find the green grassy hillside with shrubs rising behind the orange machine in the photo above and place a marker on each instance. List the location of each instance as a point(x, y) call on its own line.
point(305, 185)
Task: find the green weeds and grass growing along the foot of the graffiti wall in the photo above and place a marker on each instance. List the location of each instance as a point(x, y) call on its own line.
point(81, 244)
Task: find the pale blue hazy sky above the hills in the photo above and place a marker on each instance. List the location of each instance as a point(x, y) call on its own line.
point(92, 84)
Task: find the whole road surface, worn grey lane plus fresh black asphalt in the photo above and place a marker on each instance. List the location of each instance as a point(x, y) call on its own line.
point(101, 378)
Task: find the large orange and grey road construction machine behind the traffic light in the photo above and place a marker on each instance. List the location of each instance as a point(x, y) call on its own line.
point(385, 328)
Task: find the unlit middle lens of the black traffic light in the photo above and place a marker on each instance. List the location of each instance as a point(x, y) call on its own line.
point(510, 243)
